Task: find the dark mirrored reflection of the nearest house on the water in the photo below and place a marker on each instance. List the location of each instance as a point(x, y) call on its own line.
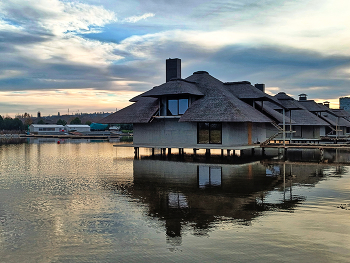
point(195, 196)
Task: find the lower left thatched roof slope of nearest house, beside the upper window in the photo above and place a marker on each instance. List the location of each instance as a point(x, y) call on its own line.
point(139, 112)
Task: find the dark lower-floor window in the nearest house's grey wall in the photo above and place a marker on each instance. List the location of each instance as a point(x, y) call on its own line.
point(209, 132)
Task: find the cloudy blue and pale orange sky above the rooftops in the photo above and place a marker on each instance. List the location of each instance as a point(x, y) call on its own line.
point(94, 55)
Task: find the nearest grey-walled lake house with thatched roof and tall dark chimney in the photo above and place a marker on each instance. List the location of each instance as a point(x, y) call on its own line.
point(199, 111)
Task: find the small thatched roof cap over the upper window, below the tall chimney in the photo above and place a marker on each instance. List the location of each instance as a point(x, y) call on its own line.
point(174, 87)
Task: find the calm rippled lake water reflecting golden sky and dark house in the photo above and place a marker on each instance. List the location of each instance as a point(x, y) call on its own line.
point(92, 202)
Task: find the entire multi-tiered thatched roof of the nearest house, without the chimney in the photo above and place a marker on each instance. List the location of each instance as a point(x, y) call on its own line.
point(216, 102)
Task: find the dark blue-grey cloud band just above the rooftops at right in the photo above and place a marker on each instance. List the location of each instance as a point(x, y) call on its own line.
point(279, 64)
